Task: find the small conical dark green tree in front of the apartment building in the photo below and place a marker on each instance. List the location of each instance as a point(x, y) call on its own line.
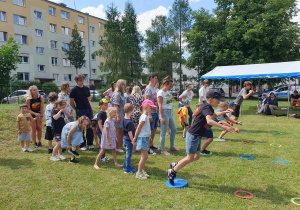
point(75, 53)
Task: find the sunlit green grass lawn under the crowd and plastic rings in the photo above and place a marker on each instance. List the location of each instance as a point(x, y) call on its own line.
point(32, 181)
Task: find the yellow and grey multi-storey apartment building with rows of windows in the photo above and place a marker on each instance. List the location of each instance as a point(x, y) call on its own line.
point(43, 28)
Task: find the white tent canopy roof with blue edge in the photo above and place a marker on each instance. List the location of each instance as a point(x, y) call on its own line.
point(256, 71)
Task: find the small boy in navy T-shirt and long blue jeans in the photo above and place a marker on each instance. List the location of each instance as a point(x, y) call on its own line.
point(128, 132)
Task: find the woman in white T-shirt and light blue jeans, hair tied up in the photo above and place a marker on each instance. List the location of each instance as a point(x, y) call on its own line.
point(166, 115)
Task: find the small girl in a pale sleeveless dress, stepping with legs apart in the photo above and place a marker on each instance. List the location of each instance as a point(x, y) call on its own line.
point(108, 138)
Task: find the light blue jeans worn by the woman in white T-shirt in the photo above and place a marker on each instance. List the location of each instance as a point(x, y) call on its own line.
point(168, 115)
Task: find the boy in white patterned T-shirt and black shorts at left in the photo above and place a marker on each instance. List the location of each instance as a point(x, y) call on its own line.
point(52, 97)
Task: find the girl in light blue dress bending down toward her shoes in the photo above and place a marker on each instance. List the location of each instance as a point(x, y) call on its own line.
point(71, 136)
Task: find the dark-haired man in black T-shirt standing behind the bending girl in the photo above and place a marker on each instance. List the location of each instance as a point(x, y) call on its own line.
point(81, 95)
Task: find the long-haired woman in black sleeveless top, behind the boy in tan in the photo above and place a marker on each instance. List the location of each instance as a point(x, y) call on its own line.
point(35, 104)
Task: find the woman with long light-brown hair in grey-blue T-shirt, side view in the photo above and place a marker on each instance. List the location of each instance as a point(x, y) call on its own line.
point(118, 101)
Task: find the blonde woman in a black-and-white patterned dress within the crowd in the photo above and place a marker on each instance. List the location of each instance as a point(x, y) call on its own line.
point(136, 99)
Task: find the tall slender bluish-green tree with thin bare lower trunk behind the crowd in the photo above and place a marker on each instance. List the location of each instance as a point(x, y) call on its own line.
point(180, 19)
